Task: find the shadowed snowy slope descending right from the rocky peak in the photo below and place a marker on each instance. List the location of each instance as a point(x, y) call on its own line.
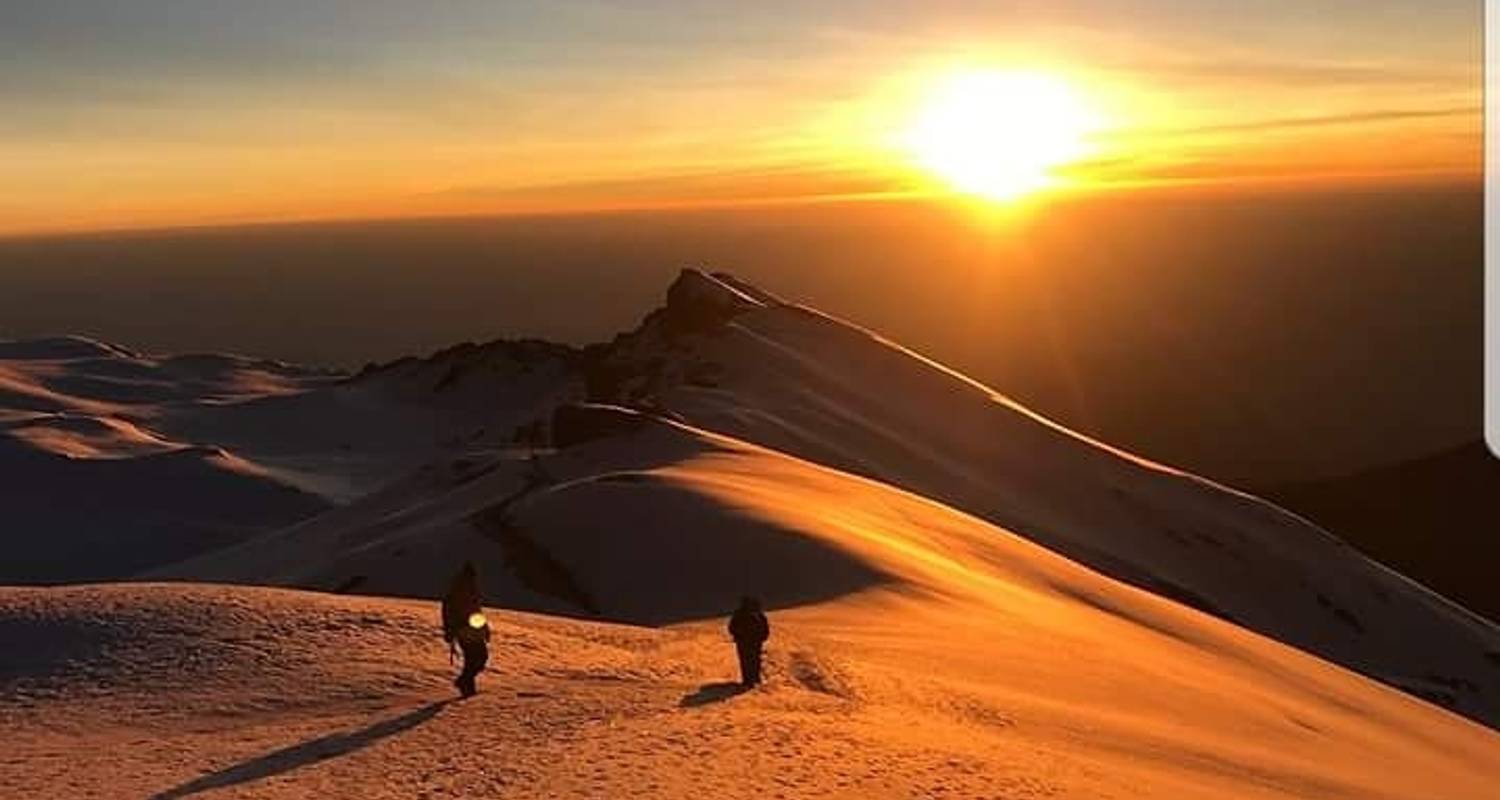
point(734, 359)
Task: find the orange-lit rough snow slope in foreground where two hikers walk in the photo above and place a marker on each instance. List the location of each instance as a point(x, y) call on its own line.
point(1027, 693)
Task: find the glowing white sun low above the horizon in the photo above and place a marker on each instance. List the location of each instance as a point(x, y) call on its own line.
point(1001, 134)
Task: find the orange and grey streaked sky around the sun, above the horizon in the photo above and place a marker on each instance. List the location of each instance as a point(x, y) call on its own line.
point(160, 113)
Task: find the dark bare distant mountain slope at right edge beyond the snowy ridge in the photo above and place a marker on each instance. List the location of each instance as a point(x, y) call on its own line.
point(1436, 520)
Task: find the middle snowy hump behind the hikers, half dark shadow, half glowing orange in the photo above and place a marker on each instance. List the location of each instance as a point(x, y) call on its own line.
point(652, 522)
